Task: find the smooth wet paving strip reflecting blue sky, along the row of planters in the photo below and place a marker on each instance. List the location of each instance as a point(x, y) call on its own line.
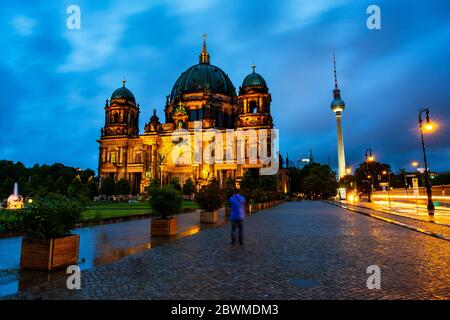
point(98, 245)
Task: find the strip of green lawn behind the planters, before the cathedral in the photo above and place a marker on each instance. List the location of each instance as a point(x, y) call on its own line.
point(112, 210)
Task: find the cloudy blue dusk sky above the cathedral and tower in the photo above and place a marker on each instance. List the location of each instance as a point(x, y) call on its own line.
point(54, 81)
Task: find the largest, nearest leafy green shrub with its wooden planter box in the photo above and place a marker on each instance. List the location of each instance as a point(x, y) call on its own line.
point(47, 224)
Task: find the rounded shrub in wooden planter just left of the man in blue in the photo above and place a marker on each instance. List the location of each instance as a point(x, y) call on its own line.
point(210, 198)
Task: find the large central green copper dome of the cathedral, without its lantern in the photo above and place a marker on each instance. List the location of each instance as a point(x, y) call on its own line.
point(203, 77)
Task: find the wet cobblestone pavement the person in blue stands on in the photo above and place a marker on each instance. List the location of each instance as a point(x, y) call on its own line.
point(295, 240)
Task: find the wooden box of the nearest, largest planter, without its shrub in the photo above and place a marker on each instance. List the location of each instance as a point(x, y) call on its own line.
point(49, 254)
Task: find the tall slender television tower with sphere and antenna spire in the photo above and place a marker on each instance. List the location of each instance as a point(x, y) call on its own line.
point(338, 105)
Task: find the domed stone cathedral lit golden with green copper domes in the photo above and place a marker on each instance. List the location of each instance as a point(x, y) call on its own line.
point(202, 94)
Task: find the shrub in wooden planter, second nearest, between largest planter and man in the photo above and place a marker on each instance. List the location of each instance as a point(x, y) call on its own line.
point(165, 202)
